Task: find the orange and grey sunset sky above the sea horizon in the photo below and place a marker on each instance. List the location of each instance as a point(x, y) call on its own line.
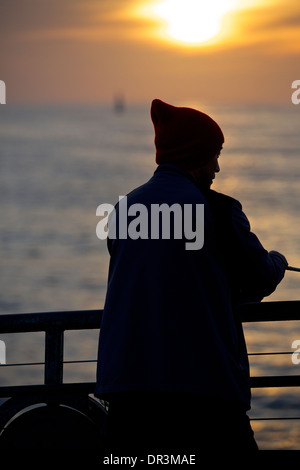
point(75, 51)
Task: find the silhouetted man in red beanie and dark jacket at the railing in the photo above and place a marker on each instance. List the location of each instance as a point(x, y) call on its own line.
point(172, 357)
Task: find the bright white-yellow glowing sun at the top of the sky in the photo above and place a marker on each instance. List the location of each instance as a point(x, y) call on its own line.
point(193, 21)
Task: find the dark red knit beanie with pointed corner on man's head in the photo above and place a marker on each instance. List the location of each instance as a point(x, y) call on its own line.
point(184, 136)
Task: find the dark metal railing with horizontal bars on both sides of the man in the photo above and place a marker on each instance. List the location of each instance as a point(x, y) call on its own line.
point(54, 324)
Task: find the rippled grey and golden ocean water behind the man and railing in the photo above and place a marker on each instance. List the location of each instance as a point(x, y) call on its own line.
point(58, 163)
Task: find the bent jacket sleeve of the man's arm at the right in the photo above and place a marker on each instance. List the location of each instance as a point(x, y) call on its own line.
point(258, 272)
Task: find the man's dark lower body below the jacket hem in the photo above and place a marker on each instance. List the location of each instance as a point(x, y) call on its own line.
point(178, 423)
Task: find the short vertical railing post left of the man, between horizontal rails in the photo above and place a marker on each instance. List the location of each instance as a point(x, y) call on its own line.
point(54, 350)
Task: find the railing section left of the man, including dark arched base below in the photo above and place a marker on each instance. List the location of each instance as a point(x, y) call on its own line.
point(29, 413)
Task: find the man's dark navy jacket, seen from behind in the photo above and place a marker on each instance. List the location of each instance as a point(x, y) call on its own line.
point(170, 322)
